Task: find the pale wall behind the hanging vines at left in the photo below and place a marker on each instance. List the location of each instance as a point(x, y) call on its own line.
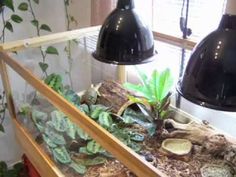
point(51, 13)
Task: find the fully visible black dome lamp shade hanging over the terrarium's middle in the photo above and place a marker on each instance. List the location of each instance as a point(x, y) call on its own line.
point(124, 39)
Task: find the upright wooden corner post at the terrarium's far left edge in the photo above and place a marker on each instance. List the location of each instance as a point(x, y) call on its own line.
point(7, 88)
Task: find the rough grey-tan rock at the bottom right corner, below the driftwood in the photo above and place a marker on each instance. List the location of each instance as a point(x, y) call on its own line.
point(212, 170)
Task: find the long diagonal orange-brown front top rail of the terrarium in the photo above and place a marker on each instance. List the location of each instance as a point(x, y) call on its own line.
point(124, 154)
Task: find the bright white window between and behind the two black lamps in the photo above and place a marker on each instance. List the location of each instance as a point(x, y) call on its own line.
point(164, 15)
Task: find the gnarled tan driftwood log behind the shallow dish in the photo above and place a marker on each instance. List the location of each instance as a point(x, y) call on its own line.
point(211, 141)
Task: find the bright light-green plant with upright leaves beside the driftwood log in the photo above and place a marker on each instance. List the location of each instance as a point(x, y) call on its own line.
point(154, 91)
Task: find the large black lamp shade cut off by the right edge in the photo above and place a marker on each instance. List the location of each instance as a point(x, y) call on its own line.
point(210, 76)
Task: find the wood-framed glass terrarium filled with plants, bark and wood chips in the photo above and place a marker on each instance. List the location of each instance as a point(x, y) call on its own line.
point(73, 117)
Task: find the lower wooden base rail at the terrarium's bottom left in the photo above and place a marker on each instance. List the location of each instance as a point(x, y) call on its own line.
point(44, 165)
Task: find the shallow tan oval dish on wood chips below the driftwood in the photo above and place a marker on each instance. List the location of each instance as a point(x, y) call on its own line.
point(174, 146)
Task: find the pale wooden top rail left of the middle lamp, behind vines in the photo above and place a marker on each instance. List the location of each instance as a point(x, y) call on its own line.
point(48, 39)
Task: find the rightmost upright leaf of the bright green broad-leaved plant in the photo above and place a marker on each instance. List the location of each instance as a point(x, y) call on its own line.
point(165, 84)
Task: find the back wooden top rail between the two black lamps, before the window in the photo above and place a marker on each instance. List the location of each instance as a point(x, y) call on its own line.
point(183, 43)
